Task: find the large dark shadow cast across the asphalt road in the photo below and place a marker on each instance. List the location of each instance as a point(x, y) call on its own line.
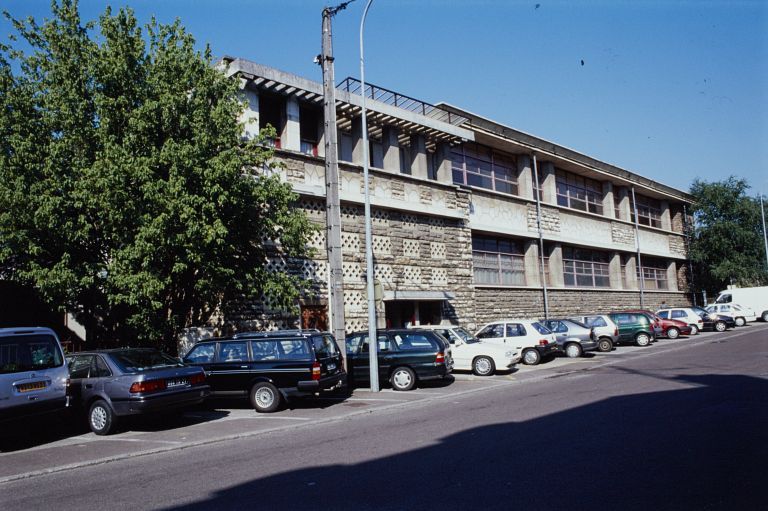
point(702, 447)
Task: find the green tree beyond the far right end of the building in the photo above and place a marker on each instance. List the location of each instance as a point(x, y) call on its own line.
point(727, 238)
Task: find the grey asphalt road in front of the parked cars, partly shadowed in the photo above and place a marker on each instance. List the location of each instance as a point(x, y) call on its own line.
point(680, 425)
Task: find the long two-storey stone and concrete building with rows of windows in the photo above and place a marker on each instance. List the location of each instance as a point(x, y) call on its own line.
point(456, 234)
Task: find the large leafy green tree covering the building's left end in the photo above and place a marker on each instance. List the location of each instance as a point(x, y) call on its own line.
point(127, 192)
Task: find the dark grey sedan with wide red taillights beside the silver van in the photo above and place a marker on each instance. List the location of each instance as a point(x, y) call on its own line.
point(110, 384)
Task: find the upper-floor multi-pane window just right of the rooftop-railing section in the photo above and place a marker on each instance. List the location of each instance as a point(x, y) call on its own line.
point(476, 165)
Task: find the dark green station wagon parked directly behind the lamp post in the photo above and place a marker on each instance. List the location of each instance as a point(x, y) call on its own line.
point(405, 357)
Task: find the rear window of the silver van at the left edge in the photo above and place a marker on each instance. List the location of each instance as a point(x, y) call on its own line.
point(29, 353)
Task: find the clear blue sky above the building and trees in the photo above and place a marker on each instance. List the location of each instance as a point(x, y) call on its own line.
point(672, 90)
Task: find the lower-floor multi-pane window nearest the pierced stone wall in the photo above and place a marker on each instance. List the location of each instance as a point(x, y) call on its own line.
point(498, 261)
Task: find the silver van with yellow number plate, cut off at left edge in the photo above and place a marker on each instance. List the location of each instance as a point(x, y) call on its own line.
point(33, 375)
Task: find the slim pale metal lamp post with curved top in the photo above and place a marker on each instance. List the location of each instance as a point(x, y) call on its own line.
point(373, 345)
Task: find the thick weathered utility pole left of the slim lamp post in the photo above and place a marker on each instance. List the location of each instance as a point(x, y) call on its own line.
point(332, 199)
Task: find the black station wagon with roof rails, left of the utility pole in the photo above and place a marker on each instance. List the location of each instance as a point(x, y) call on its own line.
point(270, 367)
